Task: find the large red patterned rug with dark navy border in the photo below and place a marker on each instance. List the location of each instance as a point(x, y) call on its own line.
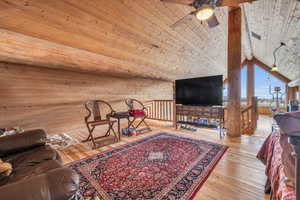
point(162, 166)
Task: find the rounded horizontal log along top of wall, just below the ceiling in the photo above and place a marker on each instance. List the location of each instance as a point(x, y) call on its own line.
point(19, 48)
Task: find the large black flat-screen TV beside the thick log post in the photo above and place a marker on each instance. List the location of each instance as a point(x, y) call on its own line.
point(206, 91)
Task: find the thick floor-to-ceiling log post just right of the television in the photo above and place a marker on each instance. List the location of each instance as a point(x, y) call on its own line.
point(234, 72)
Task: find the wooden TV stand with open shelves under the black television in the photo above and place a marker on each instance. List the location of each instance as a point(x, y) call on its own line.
point(193, 115)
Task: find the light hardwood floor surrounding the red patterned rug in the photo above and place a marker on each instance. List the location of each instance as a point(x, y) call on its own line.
point(238, 176)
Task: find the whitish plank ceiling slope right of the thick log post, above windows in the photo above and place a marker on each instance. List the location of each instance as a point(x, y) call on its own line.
point(276, 21)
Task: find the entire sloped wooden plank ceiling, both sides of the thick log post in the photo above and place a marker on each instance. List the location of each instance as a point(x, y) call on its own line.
point(139, 32)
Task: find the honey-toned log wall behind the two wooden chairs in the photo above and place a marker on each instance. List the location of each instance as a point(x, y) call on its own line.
point(34, 97)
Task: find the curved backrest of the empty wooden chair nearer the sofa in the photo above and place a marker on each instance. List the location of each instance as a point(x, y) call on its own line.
point(98, 109)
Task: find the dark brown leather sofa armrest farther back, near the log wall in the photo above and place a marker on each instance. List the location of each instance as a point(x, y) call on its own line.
point(20, 142)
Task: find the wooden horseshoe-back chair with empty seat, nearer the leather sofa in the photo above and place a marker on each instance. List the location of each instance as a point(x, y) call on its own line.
point(98, 115)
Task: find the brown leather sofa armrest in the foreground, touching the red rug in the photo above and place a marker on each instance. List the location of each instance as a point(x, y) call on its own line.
point(57, 184)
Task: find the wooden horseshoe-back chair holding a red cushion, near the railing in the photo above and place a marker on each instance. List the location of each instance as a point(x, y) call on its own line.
point(134, 104)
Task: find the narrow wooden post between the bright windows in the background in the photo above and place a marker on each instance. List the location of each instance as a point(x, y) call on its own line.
point(250, 82)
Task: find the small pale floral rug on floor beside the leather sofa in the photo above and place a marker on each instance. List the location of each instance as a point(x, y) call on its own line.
point(60, 141)
